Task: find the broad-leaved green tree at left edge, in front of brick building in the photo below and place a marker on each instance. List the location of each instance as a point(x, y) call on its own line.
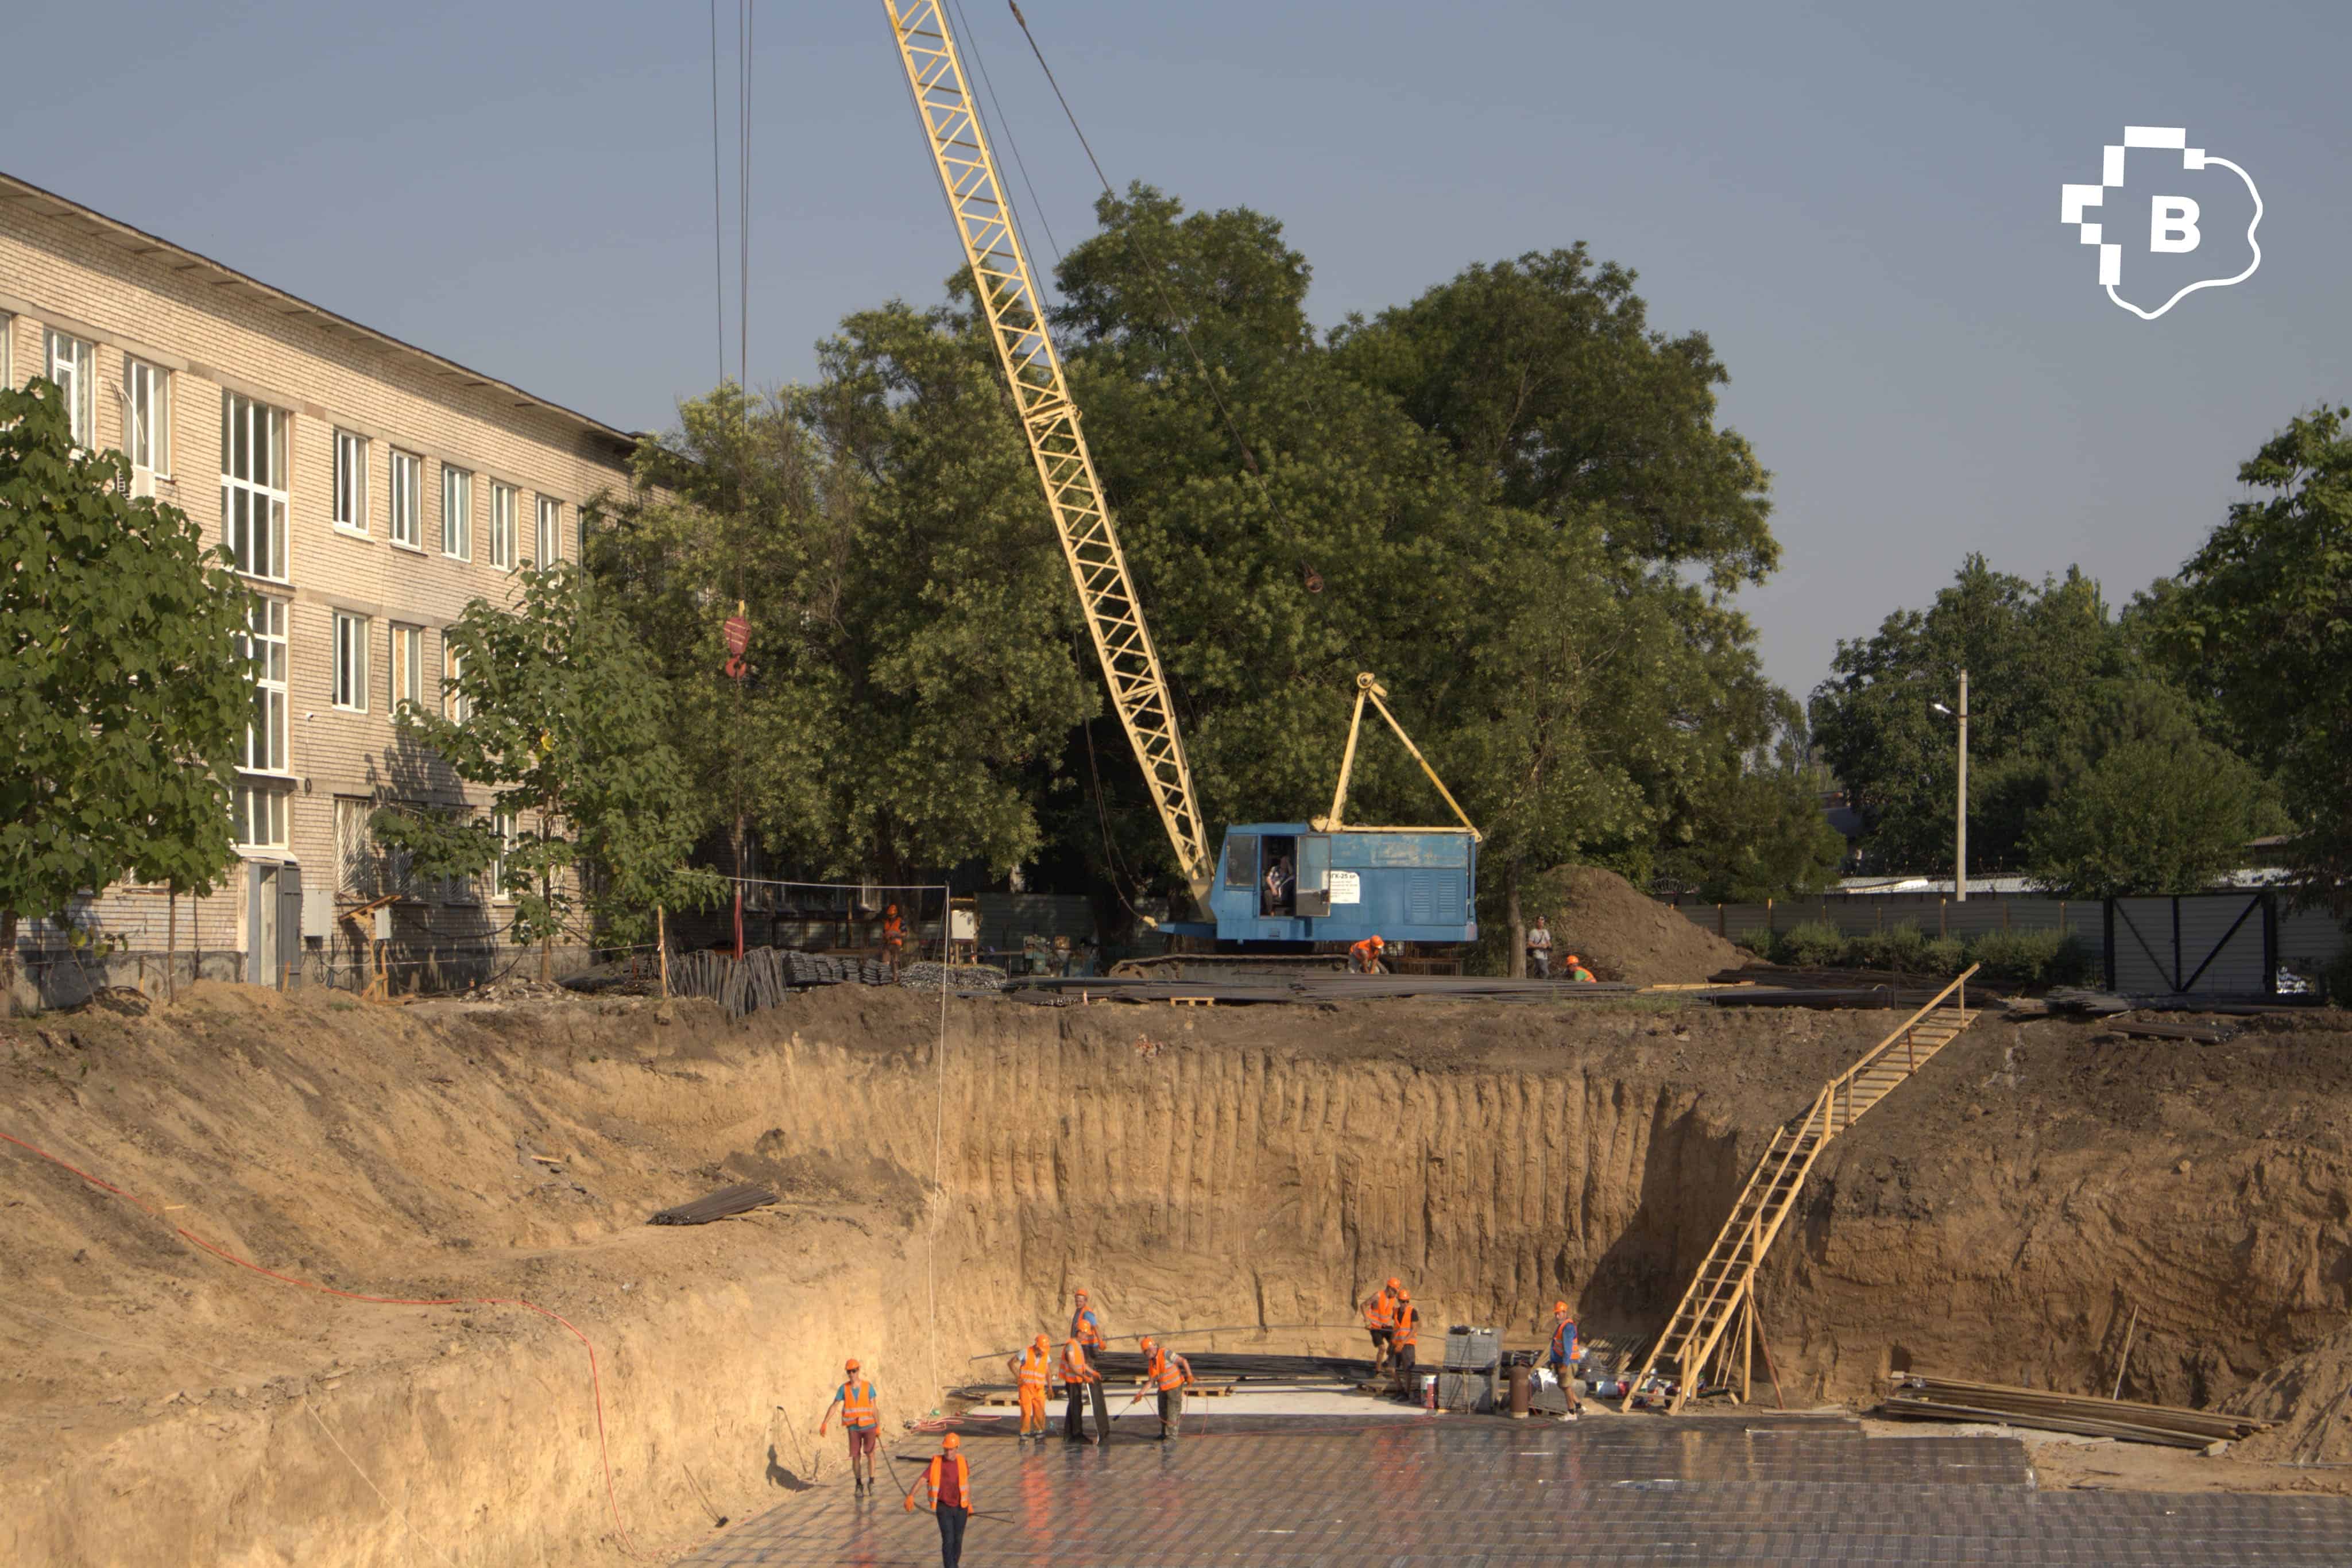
point(123, 692)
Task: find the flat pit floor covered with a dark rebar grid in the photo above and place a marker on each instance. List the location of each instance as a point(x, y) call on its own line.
point(1504, 1496)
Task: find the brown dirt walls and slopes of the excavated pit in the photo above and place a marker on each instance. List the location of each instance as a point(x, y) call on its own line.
point(1191, 1167)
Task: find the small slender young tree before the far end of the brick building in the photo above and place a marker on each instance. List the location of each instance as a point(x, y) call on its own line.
point(559, 709)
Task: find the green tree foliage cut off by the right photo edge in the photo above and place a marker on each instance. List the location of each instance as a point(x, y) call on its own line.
point(2261, 624)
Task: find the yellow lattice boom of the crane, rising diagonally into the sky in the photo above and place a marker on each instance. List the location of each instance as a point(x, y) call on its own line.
point(1001, 272)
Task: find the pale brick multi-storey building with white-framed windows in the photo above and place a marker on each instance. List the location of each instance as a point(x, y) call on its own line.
point(370, 490)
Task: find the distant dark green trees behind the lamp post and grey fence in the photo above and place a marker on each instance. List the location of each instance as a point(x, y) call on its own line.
point(2069, 725)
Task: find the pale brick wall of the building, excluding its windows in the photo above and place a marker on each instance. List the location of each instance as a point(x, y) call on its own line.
point(215, 335)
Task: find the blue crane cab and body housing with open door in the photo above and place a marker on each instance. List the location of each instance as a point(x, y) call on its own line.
point(1292, 885)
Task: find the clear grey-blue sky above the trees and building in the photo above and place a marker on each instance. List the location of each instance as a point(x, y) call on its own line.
point(1859, 203)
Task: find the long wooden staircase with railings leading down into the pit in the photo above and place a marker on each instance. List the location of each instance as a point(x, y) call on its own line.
point(1716, 1318)
